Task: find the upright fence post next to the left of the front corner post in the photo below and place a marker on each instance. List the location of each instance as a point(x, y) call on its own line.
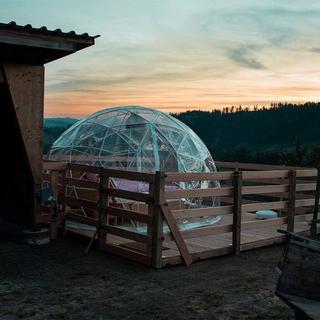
point(103, 204)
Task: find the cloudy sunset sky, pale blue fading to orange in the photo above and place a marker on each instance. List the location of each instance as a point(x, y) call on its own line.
point(179, 55)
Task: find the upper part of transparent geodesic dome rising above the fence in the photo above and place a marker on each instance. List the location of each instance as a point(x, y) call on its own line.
point(133, 138)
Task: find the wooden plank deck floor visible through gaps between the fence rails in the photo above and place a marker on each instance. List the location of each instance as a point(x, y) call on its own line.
point(215, 245)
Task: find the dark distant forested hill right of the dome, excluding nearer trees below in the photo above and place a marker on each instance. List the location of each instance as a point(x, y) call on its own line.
point(265, 129)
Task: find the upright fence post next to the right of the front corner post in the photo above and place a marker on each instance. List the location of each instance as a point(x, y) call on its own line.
point(236, 232)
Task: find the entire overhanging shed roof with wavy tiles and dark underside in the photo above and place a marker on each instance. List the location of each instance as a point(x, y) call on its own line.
point(30, 45)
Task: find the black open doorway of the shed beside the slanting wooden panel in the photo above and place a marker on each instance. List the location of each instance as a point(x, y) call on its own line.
point(17, 197)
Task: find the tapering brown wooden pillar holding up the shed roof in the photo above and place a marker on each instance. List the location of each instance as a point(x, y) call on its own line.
point(26, 87)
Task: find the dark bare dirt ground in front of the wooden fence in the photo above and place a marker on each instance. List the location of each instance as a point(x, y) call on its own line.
point(59, 281)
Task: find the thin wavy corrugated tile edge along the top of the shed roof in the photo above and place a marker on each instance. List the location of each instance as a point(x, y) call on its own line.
point(44, 30)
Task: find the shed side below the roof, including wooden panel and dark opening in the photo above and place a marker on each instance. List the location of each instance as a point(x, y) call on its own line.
point(21, 105)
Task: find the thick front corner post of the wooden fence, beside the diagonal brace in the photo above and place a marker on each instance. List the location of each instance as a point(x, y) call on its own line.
point(155, 229)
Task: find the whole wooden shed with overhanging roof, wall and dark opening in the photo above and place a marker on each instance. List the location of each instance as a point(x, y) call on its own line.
point(24, 50)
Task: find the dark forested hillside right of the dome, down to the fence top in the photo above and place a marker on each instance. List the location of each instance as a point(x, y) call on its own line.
point(283, 133)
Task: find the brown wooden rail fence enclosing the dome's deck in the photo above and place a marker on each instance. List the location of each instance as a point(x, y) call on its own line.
point(88, 196)
